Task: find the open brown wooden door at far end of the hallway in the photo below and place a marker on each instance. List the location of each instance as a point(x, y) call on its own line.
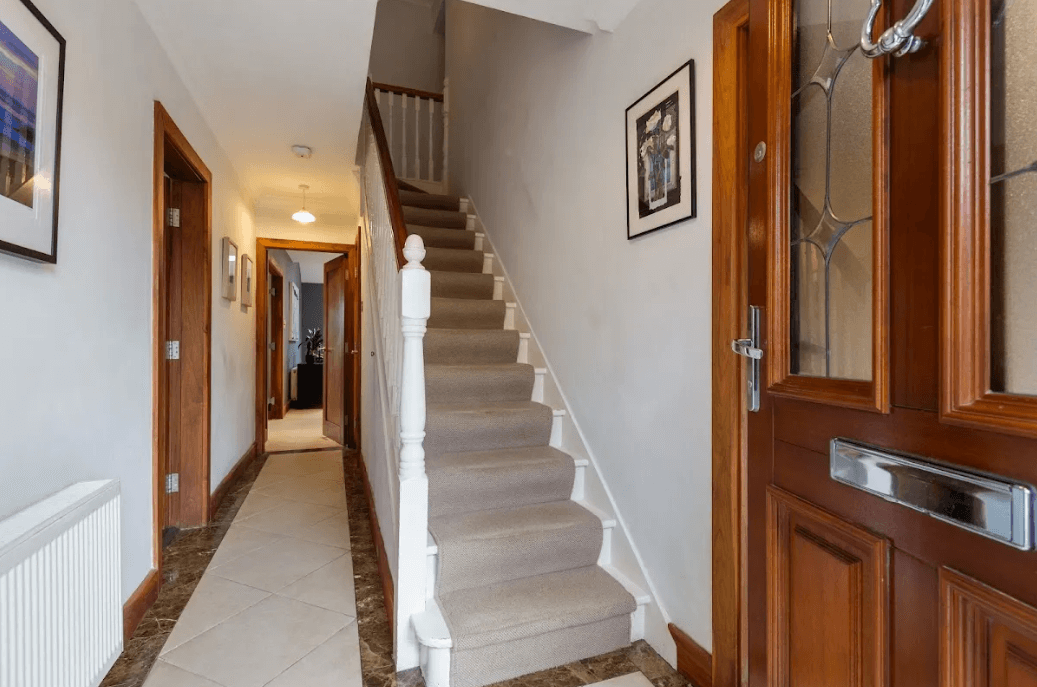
point(337, 288)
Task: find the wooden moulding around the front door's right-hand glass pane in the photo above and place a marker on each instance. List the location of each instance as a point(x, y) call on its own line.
point(966, 318)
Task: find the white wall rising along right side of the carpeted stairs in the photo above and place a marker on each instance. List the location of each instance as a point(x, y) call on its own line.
point(538, 142)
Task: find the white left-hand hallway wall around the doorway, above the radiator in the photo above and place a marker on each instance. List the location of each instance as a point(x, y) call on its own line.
point(81, 407)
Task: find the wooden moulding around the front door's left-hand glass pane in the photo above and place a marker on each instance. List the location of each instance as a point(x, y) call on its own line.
point(875, 395)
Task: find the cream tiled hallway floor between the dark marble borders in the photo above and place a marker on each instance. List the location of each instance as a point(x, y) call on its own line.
point(276, 607)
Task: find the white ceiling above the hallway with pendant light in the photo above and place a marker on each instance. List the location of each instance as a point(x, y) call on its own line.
point(270, 74)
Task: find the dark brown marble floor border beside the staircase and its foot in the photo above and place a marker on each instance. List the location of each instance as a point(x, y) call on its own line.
point(376, 641)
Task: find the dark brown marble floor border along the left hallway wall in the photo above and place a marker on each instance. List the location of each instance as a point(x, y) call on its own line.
point(184, 562)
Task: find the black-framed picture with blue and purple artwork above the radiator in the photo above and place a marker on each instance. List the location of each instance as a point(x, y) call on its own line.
point(32, 87)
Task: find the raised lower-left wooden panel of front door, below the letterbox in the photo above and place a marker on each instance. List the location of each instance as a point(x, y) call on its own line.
point(829, 598)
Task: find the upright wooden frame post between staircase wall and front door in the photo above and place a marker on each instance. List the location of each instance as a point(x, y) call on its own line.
point(730, 298)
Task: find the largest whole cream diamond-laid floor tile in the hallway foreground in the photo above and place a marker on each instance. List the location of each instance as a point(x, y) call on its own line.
point(260, 644)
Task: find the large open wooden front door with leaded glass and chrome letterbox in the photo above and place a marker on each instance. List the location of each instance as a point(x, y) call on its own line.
point(890, 251)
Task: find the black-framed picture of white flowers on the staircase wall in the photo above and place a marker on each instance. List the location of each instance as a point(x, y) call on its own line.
point(661, 155)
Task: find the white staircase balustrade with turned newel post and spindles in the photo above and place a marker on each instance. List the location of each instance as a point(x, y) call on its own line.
point(401, 298)
